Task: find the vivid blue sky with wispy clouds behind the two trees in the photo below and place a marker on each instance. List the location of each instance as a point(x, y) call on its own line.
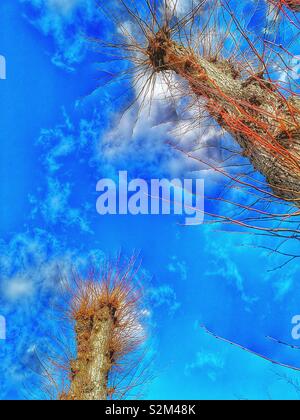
point(60, 133)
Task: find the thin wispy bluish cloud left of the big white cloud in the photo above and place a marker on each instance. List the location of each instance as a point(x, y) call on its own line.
point(55, 202)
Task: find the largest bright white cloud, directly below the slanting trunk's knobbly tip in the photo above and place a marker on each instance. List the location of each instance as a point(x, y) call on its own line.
point(142, 136)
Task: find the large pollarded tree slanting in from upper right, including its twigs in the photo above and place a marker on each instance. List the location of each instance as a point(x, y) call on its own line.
point(245, 81)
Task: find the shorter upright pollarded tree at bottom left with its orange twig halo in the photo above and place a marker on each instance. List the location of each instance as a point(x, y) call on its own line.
point(106, 311)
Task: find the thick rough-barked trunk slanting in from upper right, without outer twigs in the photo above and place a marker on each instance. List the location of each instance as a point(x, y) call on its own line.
point(263, 122)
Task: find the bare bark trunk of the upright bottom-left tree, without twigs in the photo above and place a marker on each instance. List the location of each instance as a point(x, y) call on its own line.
point(91, 368)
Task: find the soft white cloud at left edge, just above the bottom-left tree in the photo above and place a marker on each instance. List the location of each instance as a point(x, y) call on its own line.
point(36, 263)
